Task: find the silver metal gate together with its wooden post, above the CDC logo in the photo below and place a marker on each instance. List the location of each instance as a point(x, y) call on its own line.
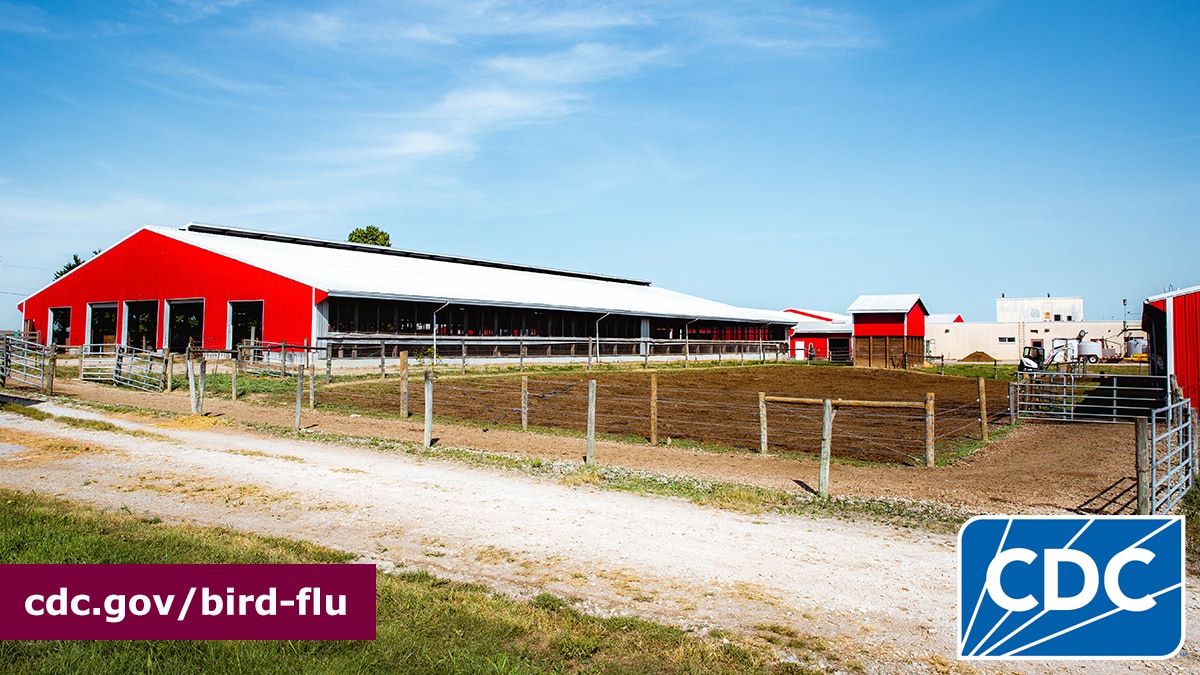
point(1167, 457)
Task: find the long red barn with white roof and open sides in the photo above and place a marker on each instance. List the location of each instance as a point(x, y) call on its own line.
point(213, 288)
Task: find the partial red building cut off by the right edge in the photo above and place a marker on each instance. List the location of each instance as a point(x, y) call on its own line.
point(1172, 322)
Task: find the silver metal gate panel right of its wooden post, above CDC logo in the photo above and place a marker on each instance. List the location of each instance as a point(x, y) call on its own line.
point(1172, 446)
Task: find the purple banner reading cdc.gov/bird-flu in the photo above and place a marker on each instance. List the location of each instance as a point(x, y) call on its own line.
point(188, 602)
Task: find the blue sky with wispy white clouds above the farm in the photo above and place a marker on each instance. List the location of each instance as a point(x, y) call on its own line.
point(765, 154)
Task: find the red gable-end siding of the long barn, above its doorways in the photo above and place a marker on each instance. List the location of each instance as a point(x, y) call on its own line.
point(148, 266)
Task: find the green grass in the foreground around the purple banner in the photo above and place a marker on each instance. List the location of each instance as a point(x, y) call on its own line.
point(425, 625)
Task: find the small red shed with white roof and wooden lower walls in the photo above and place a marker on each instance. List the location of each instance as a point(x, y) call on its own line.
point(890, 331)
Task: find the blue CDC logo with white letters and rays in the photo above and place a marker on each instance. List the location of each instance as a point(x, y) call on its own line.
point(1055, 588)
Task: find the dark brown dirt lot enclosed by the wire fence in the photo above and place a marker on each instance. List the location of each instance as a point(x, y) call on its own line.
point(719, 407)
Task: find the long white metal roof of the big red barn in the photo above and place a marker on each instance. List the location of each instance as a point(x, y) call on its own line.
point(361, 272)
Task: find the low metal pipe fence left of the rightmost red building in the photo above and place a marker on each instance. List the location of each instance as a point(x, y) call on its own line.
point(1077, 397)
